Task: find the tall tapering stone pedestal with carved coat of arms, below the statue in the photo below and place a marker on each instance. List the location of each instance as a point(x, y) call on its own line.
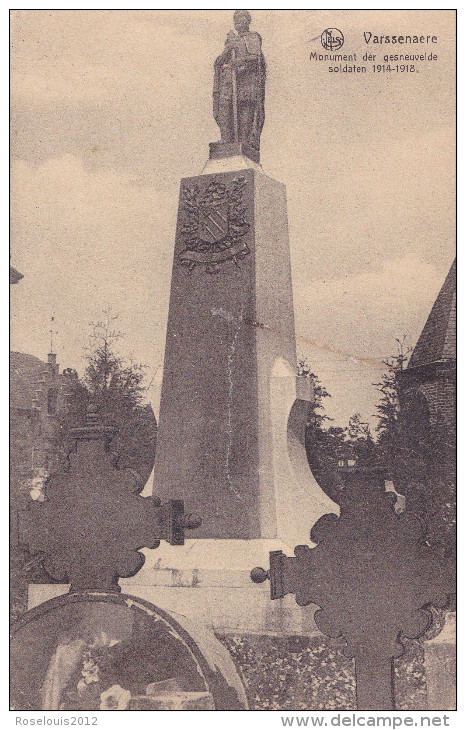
point(233, 412)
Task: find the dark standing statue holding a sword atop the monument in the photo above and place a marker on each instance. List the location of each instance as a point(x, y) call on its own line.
point(239, 85)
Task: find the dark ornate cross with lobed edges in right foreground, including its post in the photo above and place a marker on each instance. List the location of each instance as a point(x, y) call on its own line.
point(372, 574)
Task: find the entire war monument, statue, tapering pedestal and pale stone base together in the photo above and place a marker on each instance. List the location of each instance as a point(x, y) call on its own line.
point(233, 411)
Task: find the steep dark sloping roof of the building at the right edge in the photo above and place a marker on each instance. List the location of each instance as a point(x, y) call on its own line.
point(438, 338)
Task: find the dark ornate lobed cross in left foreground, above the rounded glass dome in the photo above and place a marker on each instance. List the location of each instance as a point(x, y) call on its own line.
point(92, 523)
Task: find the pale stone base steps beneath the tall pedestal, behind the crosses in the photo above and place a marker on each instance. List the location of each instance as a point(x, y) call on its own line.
point(209, 581)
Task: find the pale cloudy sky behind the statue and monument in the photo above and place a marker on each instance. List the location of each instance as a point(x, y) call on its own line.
point(110, 109)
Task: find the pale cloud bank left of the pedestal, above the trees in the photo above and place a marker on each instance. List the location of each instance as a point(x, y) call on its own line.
point(85, 240)
